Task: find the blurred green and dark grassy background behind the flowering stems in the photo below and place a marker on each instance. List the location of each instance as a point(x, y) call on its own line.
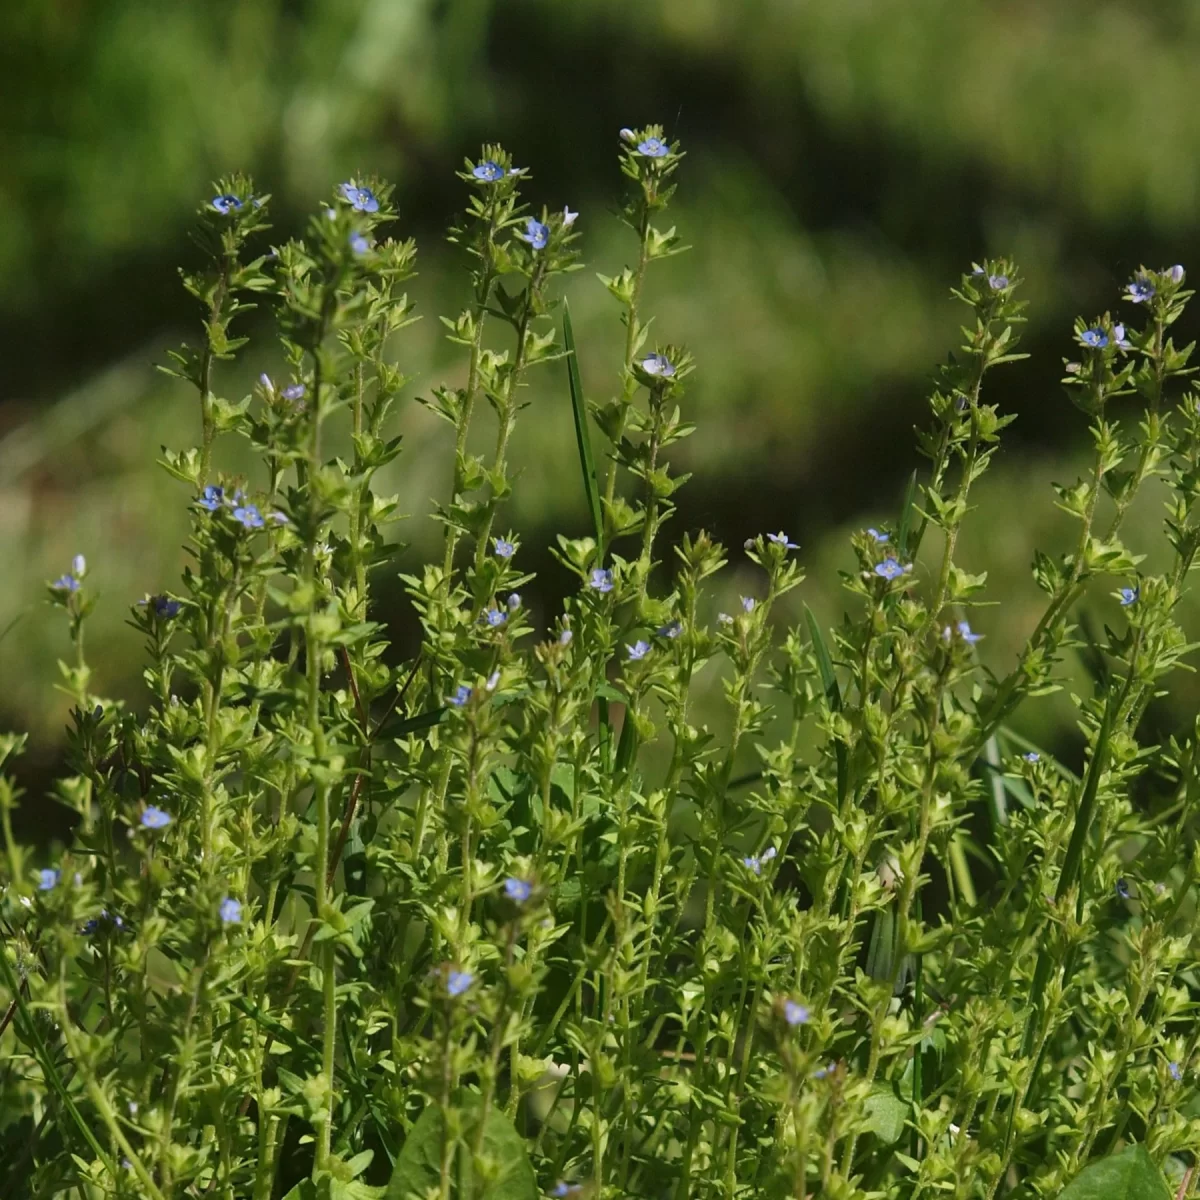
point(847, 161)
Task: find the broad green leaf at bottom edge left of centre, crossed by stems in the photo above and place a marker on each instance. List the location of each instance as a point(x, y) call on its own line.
point(419, 1166)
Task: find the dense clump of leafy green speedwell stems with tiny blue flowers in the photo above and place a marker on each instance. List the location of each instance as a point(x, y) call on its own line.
point(501, 920)
